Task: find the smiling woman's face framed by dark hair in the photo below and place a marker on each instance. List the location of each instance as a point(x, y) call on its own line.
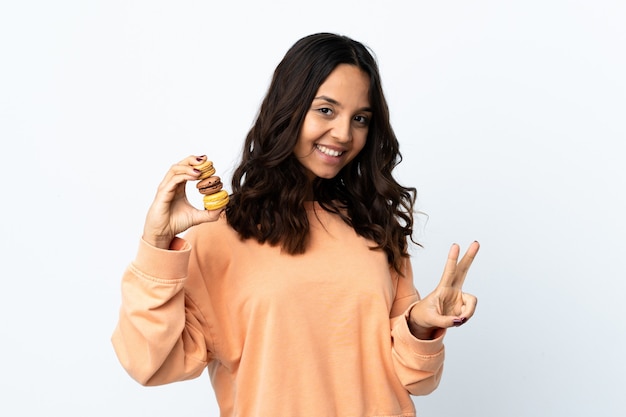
point(335, 127)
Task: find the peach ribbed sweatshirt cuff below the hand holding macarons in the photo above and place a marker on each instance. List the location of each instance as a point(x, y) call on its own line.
point(163, 264)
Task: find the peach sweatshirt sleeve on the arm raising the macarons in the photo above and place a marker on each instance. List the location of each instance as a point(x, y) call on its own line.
point(158, 338)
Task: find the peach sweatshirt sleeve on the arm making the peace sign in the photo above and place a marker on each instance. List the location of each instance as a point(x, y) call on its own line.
point(418, 363)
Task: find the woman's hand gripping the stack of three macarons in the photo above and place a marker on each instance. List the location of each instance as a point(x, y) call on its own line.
point(170, 212)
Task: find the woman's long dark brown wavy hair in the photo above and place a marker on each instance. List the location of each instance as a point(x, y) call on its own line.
point(270, 186)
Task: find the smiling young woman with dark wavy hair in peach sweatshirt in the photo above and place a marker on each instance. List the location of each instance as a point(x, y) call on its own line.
point(299, 296)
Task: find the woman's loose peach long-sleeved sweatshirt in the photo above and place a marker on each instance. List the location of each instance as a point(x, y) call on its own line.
point(319, 334)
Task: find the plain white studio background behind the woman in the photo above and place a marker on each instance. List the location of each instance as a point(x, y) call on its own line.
point(511, 117)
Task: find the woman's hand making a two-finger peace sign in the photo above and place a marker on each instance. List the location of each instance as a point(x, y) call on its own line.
point(447, 305)
